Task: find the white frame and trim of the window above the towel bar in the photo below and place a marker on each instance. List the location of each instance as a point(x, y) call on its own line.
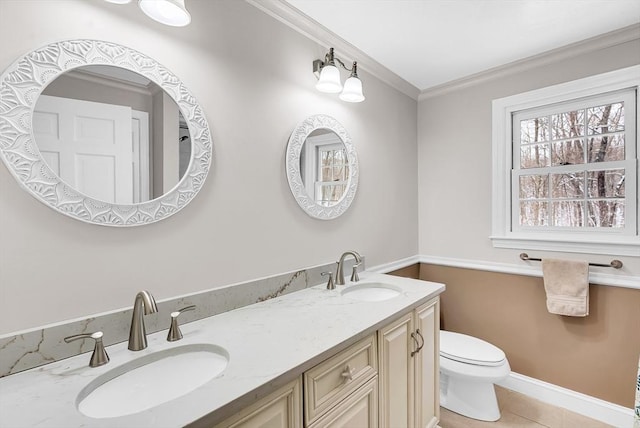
point(504, 234)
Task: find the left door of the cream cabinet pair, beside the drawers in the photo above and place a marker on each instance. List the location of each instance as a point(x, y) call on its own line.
point(396, 372)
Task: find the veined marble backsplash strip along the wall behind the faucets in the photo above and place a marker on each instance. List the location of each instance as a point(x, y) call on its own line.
point(45, 345)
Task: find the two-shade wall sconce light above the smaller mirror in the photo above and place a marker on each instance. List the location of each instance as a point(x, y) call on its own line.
point(329, 78)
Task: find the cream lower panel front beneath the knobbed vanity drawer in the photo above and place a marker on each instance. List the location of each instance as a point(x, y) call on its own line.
point(358, 410)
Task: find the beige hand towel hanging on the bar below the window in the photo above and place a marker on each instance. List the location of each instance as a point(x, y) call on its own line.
point(567, 285)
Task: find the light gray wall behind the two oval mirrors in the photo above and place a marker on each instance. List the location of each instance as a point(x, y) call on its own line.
point(252, 76)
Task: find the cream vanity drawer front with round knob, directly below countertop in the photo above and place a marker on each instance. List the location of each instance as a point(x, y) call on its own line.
point(331, 381)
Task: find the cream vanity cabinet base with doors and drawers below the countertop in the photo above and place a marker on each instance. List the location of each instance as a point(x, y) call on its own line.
point(388, 379)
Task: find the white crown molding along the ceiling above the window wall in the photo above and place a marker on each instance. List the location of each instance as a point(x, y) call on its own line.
point(592, 44)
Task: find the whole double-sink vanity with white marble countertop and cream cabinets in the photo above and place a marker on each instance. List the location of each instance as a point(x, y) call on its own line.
point(363, 354)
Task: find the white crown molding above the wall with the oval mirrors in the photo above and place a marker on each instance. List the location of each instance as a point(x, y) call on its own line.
point(303, 24)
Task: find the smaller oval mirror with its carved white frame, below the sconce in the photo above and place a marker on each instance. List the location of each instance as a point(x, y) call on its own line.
point(322, 167)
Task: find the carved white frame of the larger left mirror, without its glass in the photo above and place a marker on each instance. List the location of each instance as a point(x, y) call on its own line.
point(24, 81)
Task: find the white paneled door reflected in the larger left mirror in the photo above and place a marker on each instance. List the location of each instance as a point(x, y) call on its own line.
point(89, 145)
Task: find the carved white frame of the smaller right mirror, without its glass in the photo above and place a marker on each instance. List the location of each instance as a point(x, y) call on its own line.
point(294, 176)
